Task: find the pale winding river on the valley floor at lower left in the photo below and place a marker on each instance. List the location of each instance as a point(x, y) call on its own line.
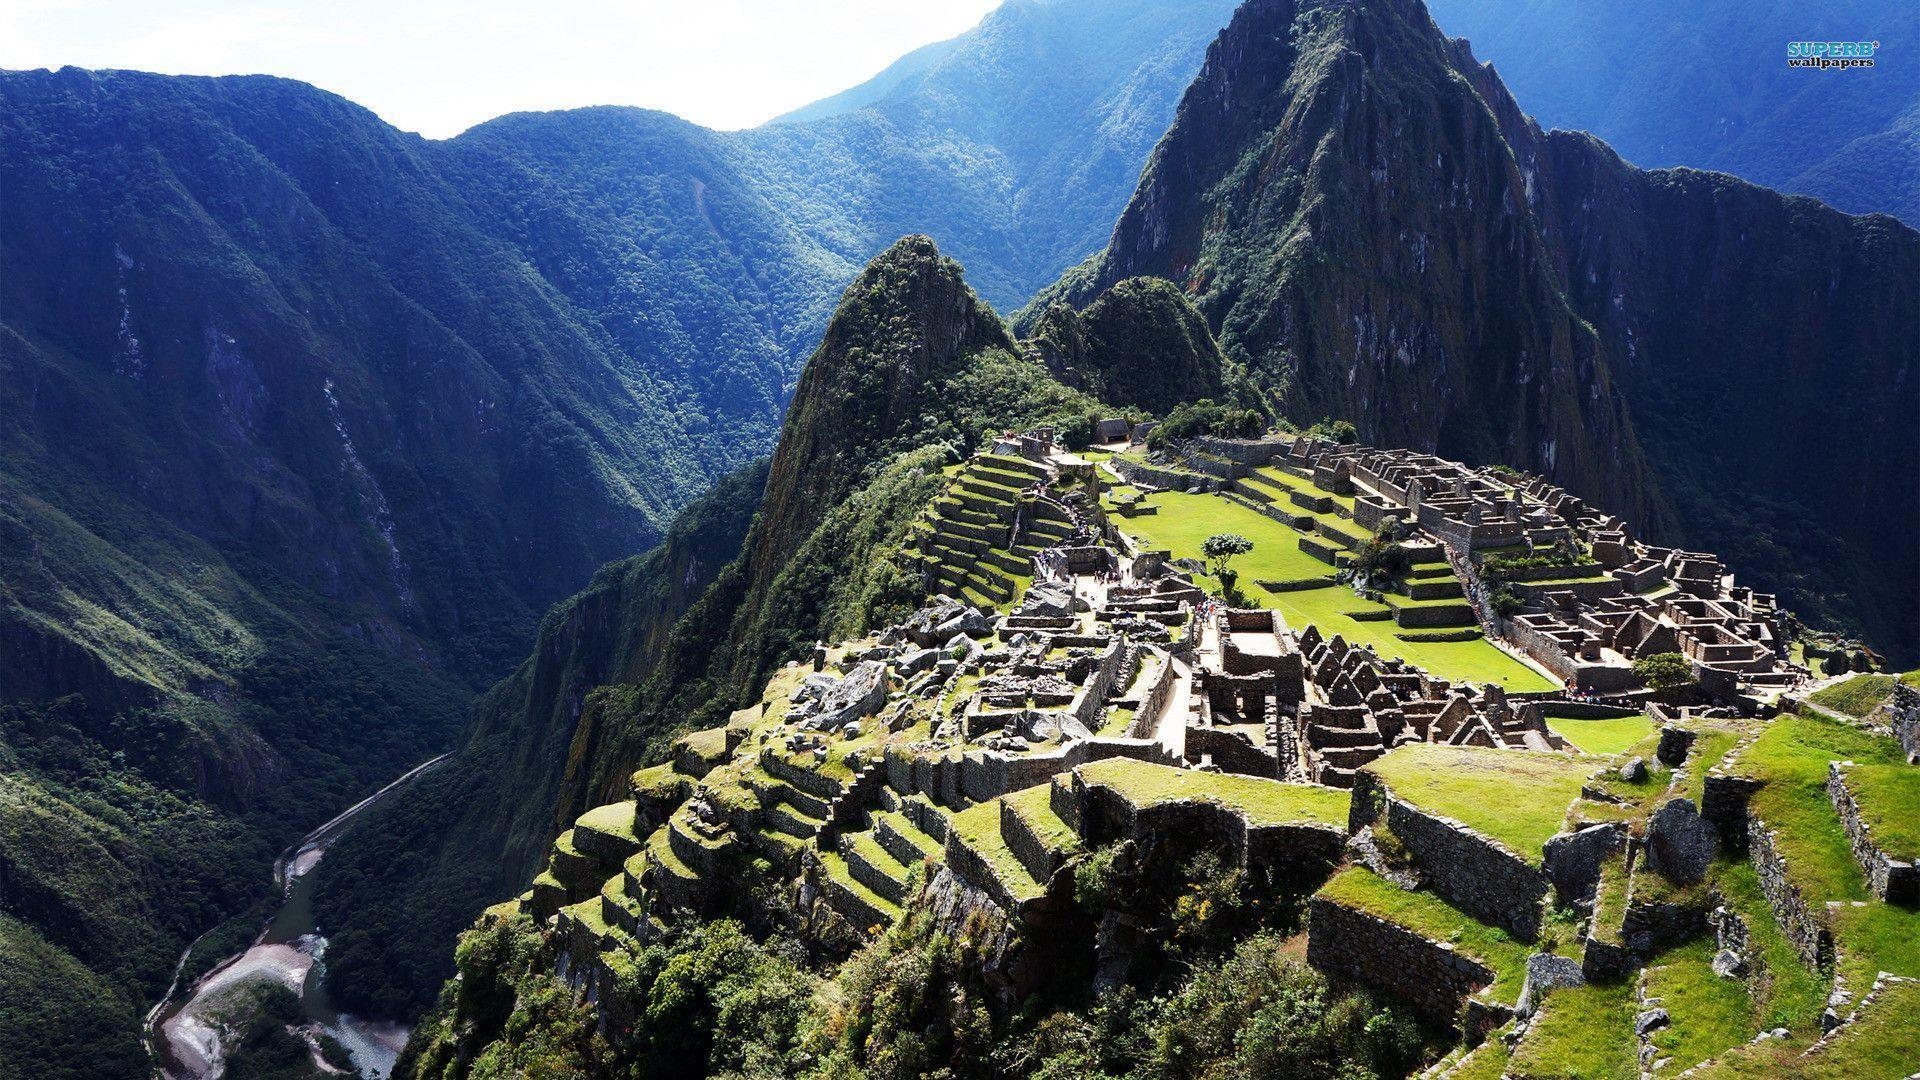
point(193, 1029)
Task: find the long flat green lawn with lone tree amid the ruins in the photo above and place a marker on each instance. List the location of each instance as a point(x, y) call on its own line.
point(1184, 522)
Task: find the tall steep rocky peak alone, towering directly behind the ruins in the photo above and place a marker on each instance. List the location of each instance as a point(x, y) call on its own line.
point(1353, 218)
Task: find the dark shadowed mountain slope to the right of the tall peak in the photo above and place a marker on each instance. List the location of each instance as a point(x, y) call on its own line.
point(1769, 355)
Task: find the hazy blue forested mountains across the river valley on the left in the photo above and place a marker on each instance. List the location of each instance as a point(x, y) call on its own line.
point(306, 422)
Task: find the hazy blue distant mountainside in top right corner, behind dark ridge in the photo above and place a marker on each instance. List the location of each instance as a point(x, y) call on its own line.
point(1706, 84)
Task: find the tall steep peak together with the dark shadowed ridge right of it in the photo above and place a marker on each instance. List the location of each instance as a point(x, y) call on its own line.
point(1376, 232)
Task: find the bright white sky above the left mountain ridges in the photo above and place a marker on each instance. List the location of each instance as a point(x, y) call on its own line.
point(441, 68)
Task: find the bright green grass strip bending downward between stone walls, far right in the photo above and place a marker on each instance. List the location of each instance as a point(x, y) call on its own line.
point(1792, 758)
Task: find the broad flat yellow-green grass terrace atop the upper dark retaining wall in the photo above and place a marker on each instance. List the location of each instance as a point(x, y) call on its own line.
point(1516, 797)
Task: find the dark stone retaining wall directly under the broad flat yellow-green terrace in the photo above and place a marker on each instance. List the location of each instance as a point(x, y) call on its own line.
point(1476, 873)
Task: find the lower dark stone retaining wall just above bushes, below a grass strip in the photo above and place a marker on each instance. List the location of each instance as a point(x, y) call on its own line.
point(1356, 948)
